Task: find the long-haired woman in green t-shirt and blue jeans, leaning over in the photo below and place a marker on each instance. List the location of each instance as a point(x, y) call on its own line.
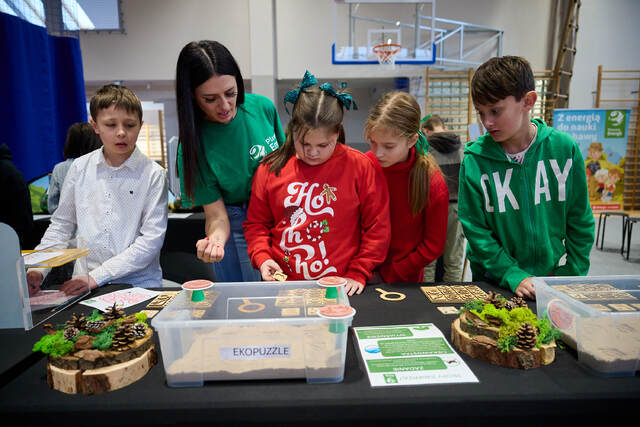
point(224, 134)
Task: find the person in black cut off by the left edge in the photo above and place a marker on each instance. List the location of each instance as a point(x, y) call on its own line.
point(15, 200)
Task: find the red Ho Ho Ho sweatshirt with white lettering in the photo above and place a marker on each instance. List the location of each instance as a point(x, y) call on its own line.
point(329, 219)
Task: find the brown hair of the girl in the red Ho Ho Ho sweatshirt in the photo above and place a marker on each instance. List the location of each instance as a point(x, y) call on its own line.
point(314, 109)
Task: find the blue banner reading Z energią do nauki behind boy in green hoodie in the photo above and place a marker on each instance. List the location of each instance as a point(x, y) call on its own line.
point(602, 136)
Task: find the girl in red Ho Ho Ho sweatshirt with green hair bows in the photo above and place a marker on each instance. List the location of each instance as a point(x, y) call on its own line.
point(318, 207)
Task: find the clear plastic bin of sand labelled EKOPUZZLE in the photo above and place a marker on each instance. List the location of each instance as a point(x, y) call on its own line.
point(253, 330)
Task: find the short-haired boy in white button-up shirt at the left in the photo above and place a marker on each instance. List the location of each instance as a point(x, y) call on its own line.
point(115, 198)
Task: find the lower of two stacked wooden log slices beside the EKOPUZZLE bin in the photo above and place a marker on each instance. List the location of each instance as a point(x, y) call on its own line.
point(95, 381)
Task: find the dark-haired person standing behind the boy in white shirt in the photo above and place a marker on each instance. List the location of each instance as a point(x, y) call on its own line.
point(81, 139)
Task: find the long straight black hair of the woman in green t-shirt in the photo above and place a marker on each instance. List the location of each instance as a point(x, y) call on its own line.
point(197, 63)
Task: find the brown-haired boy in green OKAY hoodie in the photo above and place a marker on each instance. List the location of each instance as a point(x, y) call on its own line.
point(523, 200)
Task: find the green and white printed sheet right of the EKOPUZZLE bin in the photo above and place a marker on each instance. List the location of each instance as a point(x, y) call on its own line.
point(410, 355)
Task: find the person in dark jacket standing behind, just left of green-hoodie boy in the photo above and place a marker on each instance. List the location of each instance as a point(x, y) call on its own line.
point(447, 149)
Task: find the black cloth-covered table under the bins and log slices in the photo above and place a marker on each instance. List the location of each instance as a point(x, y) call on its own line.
point(561, 392)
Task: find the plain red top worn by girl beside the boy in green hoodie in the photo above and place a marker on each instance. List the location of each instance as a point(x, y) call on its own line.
point(418, 240)
